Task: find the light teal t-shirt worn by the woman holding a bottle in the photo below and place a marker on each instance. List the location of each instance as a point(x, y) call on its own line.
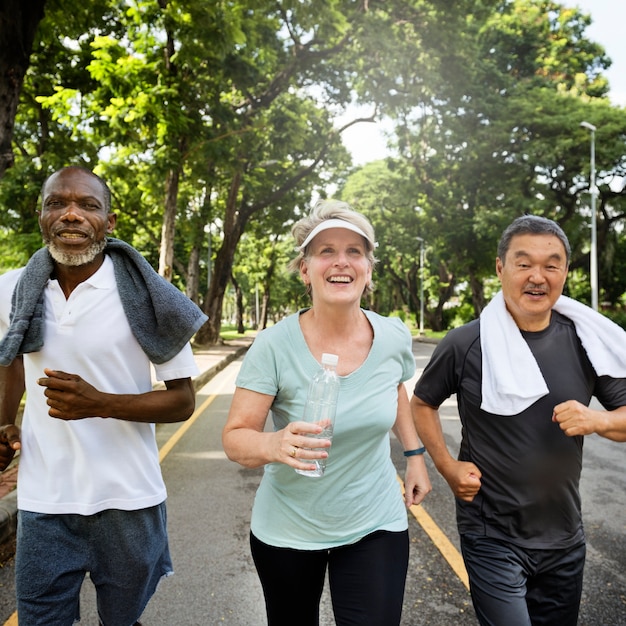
point(359, 492)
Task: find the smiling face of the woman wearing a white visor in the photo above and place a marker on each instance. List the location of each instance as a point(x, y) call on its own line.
point(336, 266)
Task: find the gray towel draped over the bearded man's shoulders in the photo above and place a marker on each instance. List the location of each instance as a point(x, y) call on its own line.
point(161, 318)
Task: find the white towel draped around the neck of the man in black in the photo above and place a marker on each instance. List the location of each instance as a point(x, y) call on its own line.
point(512, 380)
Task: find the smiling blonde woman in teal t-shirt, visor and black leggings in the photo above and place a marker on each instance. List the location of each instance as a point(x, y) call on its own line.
point(351, 520)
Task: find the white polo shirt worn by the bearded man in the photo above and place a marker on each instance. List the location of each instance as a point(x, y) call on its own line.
point(89, 465)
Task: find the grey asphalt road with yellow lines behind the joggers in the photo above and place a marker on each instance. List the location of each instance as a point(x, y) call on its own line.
point(209, 505)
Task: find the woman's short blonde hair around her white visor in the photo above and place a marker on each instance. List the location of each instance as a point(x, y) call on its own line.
point(332, 209)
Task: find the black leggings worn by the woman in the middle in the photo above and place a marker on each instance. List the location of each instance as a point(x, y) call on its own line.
point(366, 581)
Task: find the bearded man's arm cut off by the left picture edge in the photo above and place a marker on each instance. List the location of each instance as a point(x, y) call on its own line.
point(11, 392)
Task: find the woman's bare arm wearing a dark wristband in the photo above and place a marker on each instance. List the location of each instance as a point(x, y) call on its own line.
point(416, 481)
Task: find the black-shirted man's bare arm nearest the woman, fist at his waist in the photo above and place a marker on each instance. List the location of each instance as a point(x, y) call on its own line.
point(463, 477)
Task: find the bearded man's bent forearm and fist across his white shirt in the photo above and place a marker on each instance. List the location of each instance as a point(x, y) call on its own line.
point(71, 398)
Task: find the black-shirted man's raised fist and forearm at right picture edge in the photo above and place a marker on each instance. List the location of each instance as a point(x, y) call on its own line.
point(575, 418)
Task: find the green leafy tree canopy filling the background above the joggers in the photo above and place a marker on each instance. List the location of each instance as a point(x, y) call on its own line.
point(215, 125)
